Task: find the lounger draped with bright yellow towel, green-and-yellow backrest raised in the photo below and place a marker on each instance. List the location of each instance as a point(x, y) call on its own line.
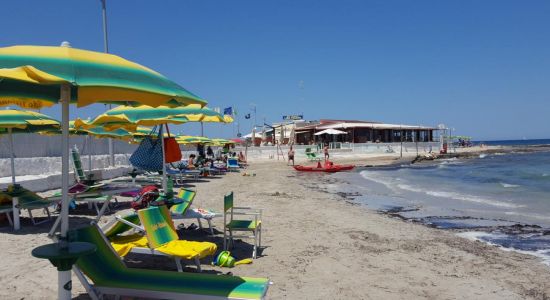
point(160, 238)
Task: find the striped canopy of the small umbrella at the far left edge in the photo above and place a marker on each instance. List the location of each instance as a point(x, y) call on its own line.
point(25, 121)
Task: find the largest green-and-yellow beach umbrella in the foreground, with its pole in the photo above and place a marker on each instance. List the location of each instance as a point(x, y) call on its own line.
point(39, 76)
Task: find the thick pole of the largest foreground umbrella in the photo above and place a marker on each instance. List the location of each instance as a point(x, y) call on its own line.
point(64, 277)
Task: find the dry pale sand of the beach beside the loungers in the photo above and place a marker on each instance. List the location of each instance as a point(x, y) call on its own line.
point(316, 245)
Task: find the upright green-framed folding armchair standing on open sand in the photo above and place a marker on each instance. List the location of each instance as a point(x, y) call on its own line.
point(252, 225)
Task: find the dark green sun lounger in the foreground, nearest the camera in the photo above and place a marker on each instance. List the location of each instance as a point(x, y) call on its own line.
point(104, 273)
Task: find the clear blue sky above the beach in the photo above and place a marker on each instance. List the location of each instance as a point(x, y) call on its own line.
point(482, 67)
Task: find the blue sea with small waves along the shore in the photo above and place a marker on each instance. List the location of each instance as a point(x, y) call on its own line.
point(499, 198)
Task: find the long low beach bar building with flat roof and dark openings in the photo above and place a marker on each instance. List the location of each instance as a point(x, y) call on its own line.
point(353, 131)
